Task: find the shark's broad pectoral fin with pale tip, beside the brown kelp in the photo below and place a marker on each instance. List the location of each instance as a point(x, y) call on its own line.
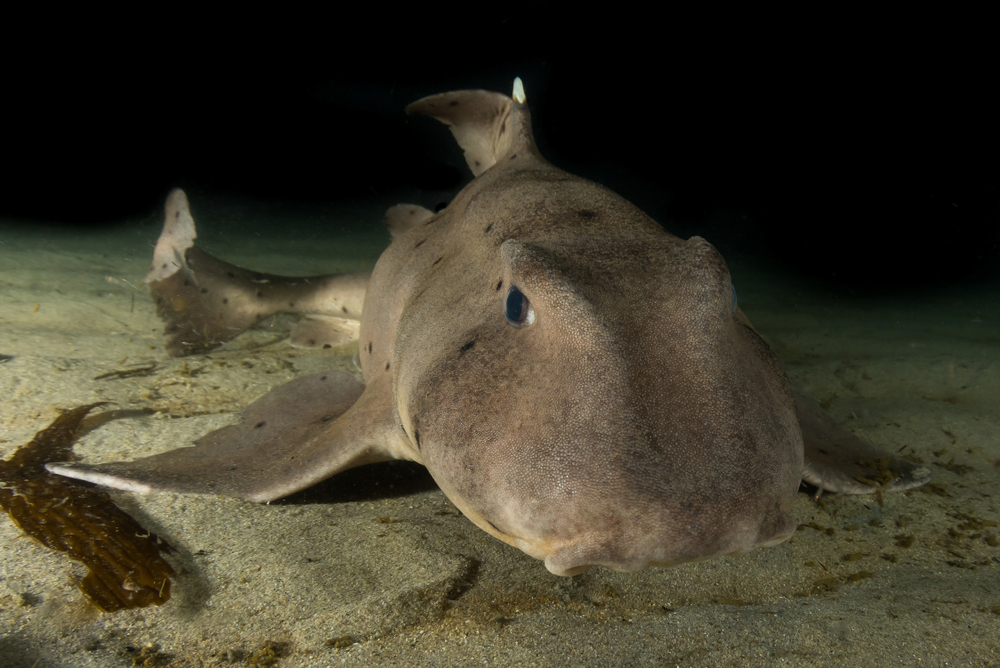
point(291, 438)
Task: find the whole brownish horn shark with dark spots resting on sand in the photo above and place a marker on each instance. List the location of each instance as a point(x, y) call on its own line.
point(579, 382)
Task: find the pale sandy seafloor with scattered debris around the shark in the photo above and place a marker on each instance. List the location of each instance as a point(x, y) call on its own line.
point(917, 373)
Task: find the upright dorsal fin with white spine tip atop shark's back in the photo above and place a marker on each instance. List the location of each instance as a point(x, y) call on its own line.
point(488, 126)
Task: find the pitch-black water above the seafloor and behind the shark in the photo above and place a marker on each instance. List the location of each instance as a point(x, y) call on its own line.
point(851, 148)
